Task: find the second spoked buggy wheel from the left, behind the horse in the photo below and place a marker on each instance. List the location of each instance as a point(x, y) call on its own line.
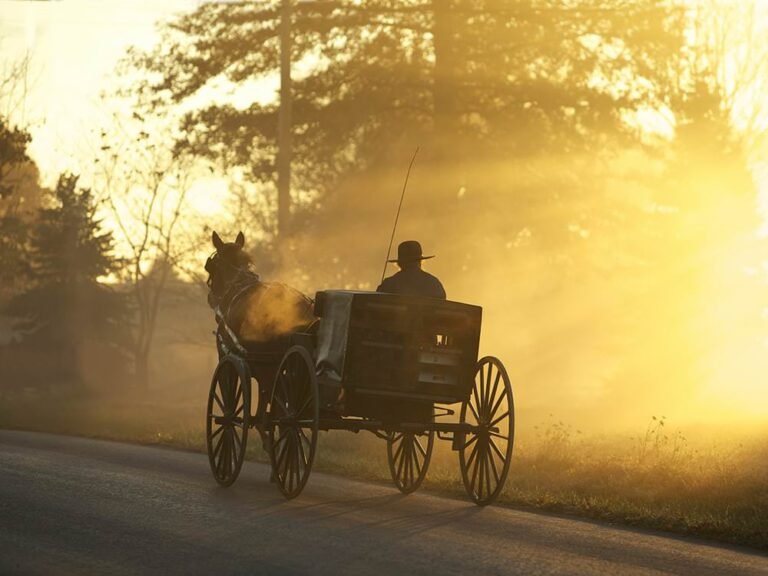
point(293, 422)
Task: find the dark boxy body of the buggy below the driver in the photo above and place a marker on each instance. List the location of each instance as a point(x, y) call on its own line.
point(391, 345)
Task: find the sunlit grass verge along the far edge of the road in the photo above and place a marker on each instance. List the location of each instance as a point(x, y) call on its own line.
point(654, 480)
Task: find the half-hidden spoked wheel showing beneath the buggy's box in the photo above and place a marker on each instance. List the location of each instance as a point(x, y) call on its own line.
point(409, 458)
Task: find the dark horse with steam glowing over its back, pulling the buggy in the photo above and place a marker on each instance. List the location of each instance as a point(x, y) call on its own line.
point(250, 312)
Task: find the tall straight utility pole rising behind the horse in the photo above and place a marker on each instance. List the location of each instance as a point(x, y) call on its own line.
point(284, 137)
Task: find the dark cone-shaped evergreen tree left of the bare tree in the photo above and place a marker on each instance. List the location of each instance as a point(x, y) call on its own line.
point(66, 304)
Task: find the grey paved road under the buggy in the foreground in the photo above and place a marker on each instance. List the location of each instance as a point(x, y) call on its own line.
point(76, 506)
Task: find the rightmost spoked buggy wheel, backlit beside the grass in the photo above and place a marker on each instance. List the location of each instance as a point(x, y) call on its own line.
point(486, 454)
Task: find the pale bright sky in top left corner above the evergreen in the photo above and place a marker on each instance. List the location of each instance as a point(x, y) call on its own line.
point(74, 45)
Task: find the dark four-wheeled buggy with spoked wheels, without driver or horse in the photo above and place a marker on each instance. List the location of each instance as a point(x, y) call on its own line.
point(388, 364)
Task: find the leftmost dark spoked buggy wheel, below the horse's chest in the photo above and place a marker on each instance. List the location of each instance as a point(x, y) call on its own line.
point(227, 420)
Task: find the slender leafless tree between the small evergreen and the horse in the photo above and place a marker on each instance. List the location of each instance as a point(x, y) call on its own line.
point(146, 185)
